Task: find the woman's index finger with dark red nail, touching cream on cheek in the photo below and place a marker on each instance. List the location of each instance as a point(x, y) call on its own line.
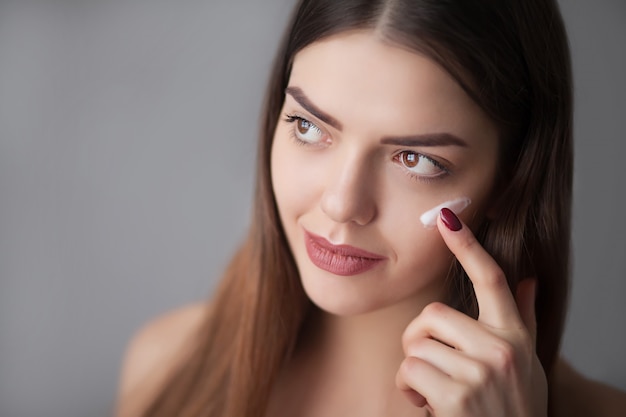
point(496, 304)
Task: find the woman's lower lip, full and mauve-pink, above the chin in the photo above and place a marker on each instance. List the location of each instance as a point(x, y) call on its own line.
point(336, 263)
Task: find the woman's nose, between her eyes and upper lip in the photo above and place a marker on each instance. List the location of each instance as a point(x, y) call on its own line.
point(349, 195)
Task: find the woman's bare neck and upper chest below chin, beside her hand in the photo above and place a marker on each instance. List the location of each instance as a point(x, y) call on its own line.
point(346, 365)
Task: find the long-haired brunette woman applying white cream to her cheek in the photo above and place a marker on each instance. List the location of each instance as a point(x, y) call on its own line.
point(394, 133)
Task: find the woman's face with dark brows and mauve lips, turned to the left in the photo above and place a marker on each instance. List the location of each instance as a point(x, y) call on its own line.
point(370, 137)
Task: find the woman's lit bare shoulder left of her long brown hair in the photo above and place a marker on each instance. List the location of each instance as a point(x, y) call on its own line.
point(155, 350)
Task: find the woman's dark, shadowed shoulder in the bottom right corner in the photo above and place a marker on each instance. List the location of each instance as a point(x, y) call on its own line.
point(576, 395)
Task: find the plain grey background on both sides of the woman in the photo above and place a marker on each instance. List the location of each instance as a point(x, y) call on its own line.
point(127, 140)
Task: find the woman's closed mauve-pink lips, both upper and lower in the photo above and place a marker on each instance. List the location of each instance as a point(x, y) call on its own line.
point(342, 260)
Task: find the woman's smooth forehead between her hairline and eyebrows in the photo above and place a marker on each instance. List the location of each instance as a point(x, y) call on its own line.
point(360, 78)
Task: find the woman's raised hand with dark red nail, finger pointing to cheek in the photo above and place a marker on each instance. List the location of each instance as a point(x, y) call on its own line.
point(458, 366)
